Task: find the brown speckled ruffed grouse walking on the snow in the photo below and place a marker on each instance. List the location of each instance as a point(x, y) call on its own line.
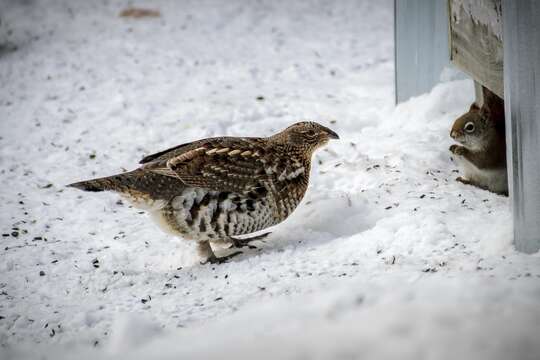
point(215, 189)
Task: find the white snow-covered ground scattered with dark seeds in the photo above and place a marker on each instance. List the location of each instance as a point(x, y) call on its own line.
point(386, 257)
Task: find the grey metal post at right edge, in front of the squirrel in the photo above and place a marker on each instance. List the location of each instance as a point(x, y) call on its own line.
point(522, 109)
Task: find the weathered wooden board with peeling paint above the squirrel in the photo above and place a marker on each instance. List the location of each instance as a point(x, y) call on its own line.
point(476, 45)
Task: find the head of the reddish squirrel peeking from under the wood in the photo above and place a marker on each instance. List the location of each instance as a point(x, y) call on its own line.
point(475, 129)
